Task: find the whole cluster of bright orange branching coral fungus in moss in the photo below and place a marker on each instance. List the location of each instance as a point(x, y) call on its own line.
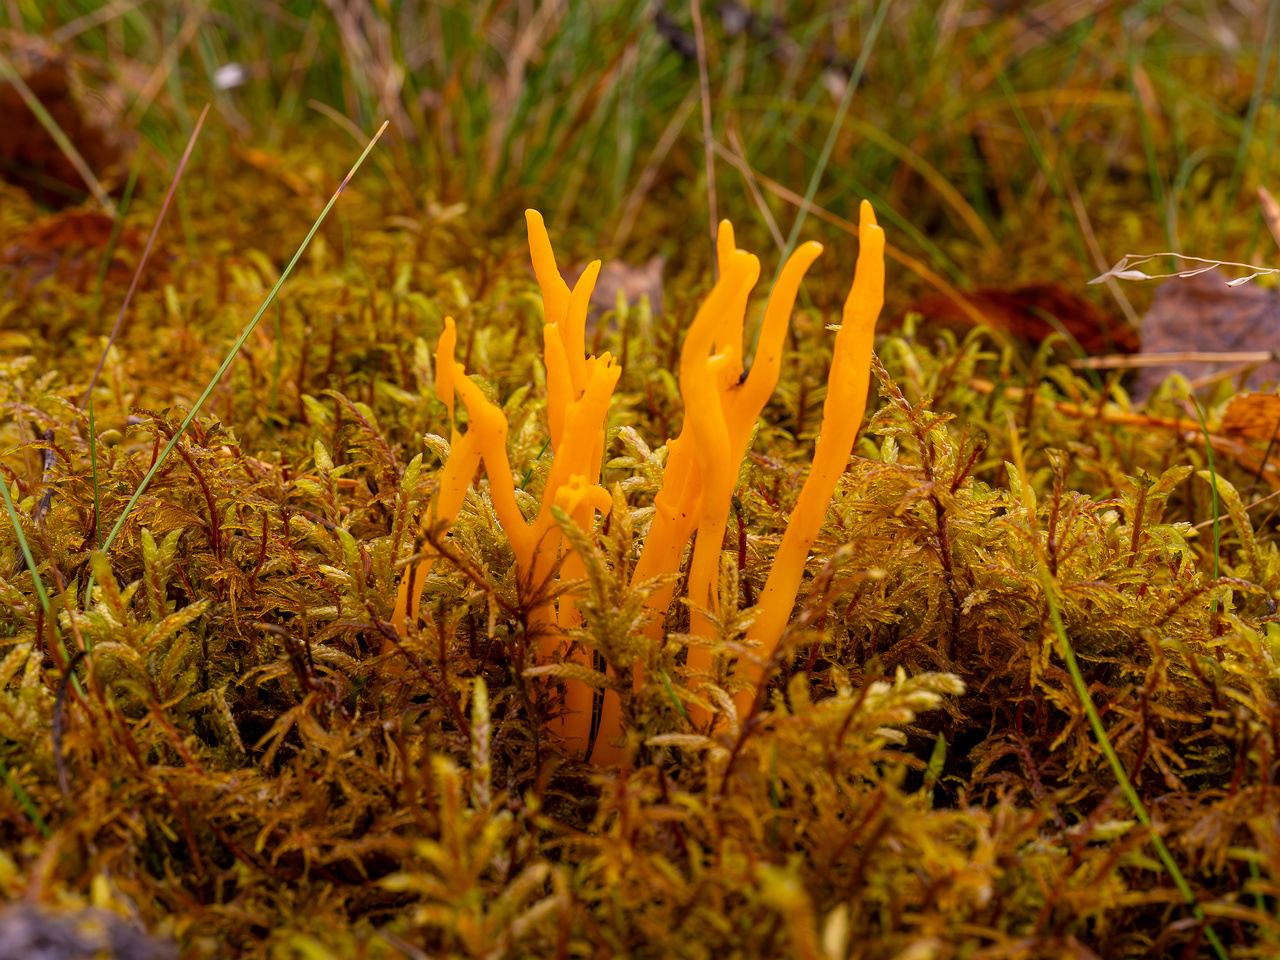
point(723, 406)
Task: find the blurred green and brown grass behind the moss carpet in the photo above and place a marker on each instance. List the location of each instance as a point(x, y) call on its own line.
point(999, 141)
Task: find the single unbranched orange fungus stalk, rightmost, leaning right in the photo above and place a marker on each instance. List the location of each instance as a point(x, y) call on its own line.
point(842, 418)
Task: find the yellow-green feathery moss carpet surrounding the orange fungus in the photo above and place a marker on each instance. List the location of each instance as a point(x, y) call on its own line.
point(258, 764)
